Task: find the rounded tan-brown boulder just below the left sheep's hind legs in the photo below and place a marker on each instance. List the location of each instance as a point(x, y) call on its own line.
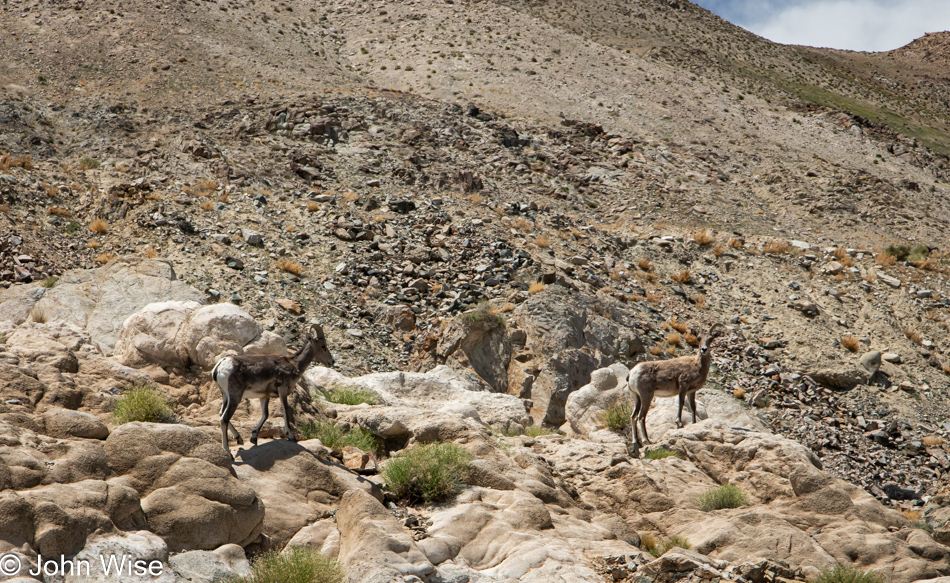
point(189, 495)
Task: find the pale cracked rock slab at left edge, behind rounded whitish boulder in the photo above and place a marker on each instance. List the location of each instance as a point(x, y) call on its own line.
point(99, 300)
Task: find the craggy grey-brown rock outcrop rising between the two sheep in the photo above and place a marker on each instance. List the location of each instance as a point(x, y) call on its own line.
point(549, 347)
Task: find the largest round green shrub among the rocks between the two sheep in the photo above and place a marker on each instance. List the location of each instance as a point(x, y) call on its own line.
point(429, 473)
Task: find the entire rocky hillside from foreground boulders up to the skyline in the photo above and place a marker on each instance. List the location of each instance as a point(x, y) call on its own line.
point(491, 200)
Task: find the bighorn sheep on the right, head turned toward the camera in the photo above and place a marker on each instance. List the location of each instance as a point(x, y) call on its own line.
point(680, 377)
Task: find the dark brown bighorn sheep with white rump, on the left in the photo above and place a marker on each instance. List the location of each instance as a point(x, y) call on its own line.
point(265, 376)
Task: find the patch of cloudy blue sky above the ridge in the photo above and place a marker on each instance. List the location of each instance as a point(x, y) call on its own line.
point(860, 25)
